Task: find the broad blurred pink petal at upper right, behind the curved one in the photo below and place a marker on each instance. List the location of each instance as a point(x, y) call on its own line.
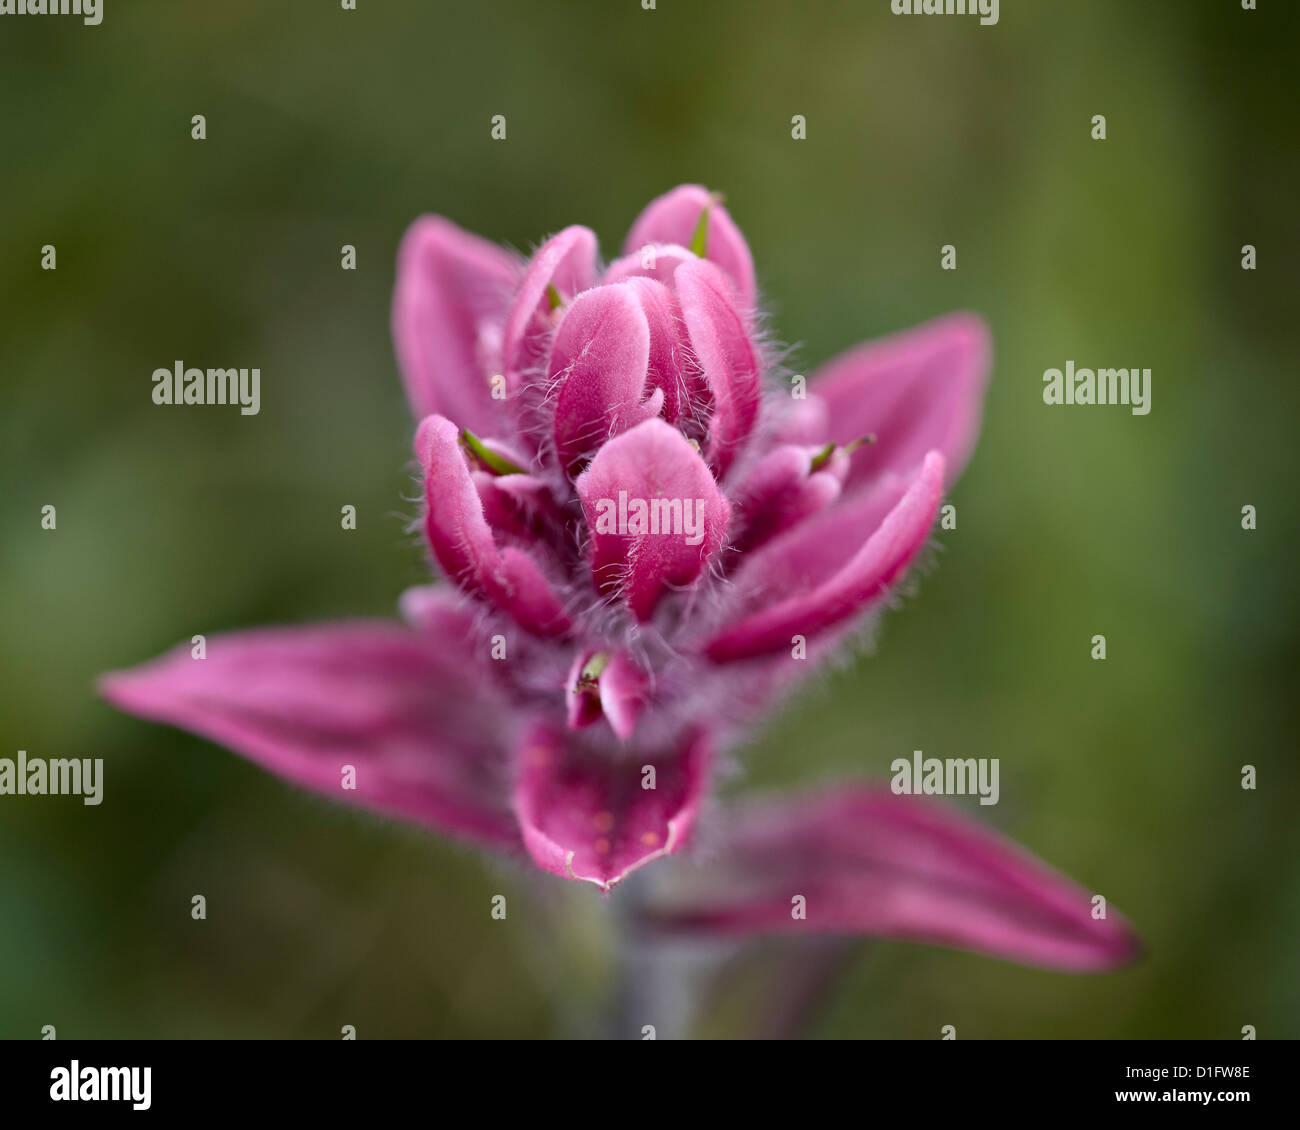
point(917, 392)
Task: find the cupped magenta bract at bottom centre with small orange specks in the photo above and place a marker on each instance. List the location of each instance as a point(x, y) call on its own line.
point(590, 816)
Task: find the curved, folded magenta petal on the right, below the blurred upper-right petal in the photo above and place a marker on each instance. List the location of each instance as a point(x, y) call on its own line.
point(799, 564)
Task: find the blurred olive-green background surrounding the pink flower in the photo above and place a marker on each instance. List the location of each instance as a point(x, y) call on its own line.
point(330, 128)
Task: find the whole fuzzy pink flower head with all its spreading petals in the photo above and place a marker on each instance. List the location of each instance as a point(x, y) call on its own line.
point(645, 532)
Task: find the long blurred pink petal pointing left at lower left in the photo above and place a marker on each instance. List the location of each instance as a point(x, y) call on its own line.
point(409, 713)
